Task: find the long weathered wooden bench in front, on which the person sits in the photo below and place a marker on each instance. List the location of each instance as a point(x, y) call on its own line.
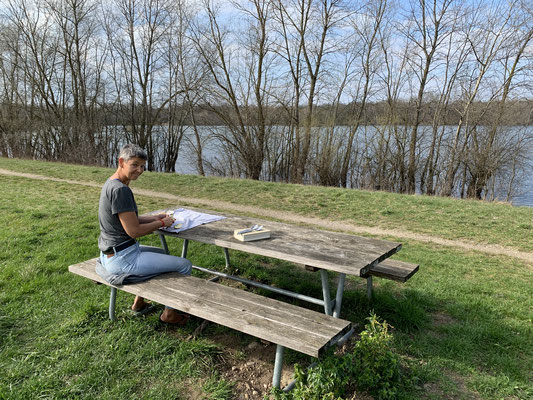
point(284, 324)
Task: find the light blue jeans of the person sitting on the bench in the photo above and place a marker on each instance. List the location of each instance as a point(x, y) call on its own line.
point(144, 260)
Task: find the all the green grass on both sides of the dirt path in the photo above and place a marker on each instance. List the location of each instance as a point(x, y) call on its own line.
point(464, 320)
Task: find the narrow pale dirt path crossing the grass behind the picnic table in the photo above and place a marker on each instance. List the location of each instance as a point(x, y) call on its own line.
point(319, 222)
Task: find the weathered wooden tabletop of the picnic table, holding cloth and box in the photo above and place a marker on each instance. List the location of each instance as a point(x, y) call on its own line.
point(340, 252)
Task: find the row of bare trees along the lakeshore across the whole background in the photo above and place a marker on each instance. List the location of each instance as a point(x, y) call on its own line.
point(409, 96)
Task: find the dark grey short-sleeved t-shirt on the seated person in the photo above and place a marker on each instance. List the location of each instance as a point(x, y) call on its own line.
point(115, 198)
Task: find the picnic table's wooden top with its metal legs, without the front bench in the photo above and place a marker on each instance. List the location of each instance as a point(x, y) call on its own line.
point(317, 250)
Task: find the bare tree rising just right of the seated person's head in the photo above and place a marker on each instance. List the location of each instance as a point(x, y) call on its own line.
point(138, 32)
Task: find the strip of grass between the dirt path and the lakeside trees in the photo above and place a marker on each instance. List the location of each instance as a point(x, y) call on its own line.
point(472, 220)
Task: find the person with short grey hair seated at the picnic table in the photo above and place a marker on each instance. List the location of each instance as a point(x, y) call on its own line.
point(120, 225)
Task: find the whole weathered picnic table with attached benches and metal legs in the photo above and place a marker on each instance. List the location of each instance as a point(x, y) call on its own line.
point(287, 325)
